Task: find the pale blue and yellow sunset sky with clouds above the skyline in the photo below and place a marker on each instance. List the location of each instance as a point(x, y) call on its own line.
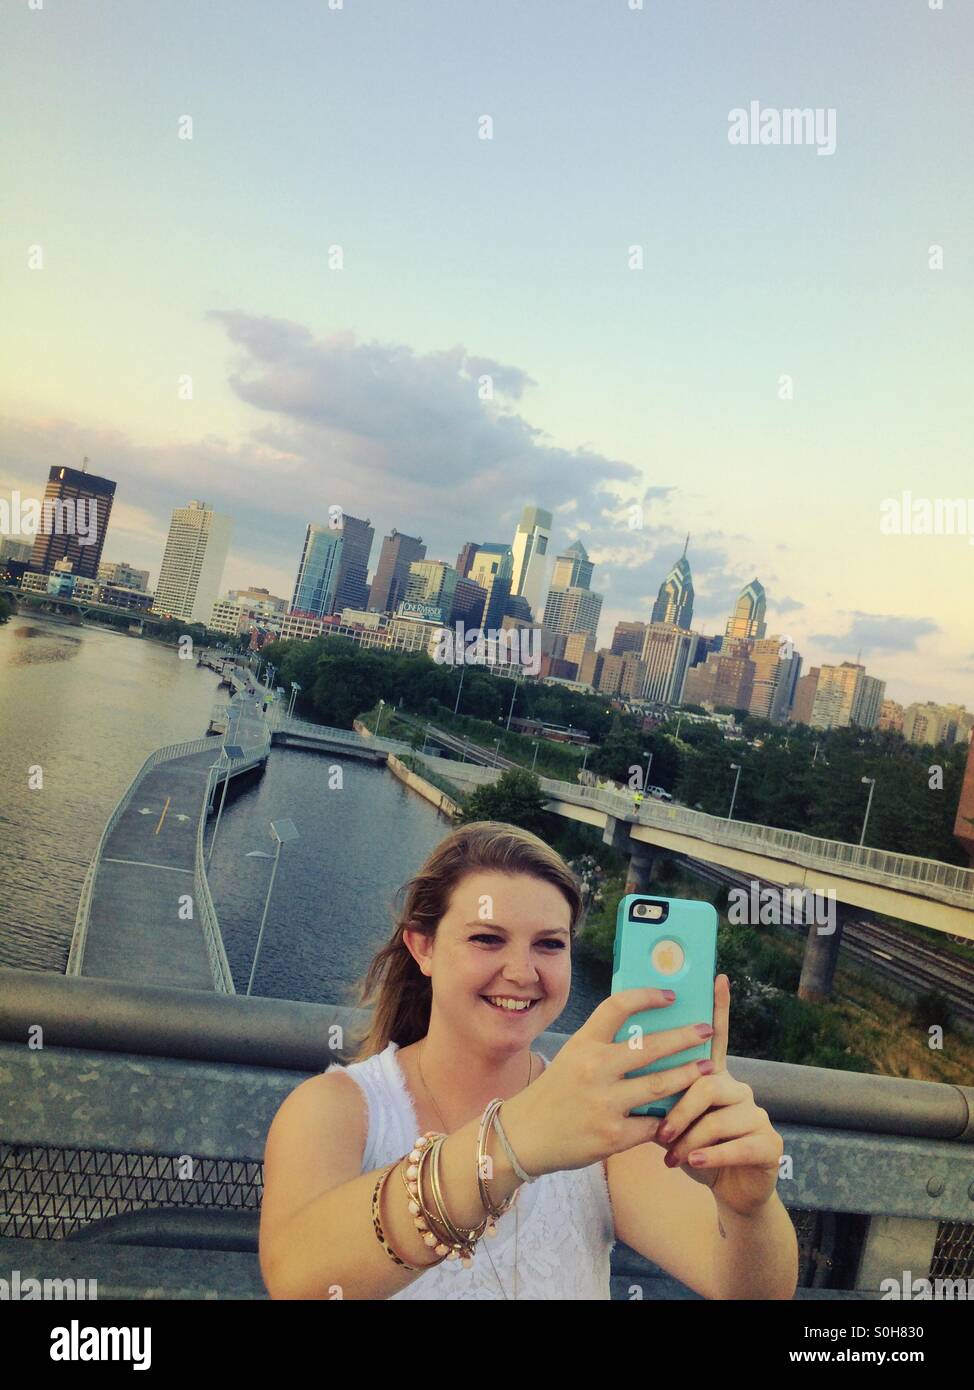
point(356, 129)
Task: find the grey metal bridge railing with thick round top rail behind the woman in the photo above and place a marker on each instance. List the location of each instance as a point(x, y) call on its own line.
point(879, 1178)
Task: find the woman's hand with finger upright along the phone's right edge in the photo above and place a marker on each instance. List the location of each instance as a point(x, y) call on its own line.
point(718, 1122)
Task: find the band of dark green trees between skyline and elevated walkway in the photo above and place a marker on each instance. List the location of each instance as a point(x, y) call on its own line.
point(793, 778)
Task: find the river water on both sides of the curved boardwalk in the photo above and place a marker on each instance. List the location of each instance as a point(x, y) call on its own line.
point(81, 708)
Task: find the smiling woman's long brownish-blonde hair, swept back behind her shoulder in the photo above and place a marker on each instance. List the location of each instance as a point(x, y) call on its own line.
point(395, 989)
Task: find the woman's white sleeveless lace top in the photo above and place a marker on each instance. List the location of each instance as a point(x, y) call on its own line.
point(566, 1220)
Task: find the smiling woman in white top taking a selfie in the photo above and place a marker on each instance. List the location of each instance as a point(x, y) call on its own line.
point(383, 1178)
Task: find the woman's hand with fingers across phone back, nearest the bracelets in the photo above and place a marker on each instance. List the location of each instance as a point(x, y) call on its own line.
point(579, 1111)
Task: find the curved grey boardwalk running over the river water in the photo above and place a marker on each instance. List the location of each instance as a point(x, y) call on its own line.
point(145, 914)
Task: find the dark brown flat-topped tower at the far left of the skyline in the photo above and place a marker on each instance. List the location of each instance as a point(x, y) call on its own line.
point(74, 521)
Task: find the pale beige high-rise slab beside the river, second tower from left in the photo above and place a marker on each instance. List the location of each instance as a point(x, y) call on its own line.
point(194, 564)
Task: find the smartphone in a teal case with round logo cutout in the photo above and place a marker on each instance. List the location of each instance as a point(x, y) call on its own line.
point(666, 945)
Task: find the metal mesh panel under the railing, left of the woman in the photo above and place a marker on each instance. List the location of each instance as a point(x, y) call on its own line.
point(47, 1193)
